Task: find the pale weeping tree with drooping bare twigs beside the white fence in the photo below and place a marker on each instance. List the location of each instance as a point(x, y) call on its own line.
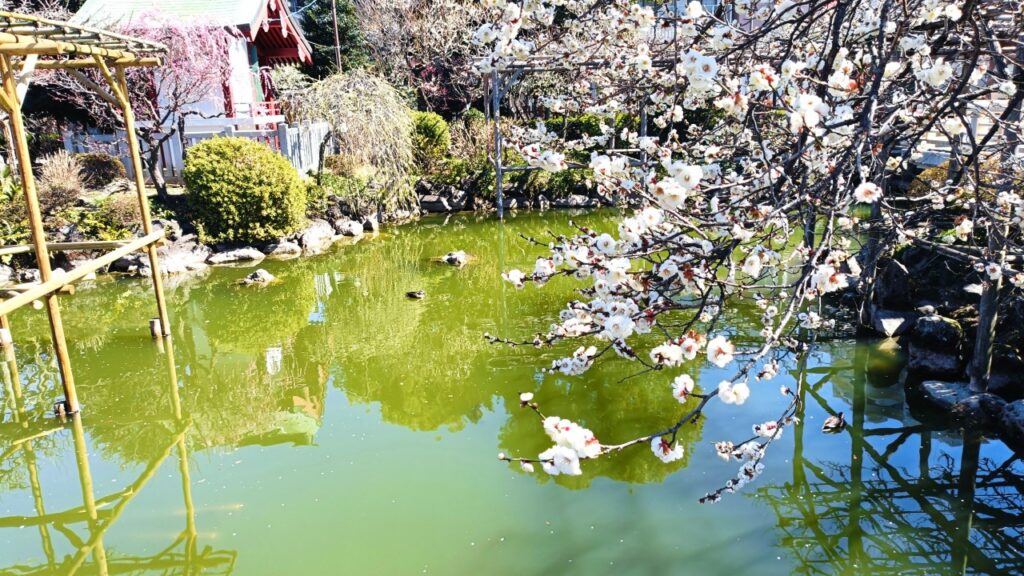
point(371, 127)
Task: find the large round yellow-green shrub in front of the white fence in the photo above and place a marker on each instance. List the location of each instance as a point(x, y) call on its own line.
point(242, 191)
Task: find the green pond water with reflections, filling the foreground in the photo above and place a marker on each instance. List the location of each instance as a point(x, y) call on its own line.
point(327, 425)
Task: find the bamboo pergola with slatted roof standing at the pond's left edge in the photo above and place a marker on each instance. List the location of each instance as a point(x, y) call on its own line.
point(30, 44)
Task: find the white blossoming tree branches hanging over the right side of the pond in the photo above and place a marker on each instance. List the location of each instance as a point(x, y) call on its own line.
point(773, 148)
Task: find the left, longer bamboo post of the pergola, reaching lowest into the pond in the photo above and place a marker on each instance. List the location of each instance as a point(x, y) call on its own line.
point(14, 108)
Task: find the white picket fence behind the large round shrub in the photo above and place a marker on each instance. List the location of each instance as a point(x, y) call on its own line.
point(301, 144)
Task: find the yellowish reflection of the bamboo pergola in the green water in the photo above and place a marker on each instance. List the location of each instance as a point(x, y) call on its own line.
point(83, 528)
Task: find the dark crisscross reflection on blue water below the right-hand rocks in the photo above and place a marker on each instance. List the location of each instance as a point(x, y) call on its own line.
point(869, 516)
